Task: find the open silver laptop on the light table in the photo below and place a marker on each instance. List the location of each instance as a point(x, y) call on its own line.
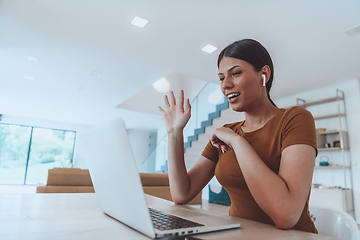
point(120, 194)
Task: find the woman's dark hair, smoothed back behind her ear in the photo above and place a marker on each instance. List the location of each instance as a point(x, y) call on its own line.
point(252, 52)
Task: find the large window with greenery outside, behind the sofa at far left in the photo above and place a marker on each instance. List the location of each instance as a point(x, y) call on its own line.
point(26, 153)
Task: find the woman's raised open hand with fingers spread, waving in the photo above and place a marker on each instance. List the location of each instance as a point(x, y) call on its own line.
point(175, 116)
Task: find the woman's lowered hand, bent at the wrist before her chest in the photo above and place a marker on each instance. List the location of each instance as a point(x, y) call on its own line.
point(223, 138)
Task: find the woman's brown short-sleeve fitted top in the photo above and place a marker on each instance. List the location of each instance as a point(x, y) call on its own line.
point(290, 126)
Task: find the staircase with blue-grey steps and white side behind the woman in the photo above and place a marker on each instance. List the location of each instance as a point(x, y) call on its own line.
point(196, 143)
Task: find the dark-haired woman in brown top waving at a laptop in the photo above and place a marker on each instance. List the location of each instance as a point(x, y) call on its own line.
point(265, 162)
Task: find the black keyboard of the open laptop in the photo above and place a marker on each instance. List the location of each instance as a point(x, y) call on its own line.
point(163, 221)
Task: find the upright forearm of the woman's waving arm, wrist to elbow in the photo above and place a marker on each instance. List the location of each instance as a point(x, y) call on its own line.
point(178, 178)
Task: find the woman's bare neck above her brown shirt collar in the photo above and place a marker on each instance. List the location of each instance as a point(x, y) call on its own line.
point(260, 113)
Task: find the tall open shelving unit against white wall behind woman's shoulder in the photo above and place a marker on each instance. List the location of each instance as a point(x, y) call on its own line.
point(332, 145)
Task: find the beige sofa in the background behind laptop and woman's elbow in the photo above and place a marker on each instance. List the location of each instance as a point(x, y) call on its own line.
point(75, 180)
